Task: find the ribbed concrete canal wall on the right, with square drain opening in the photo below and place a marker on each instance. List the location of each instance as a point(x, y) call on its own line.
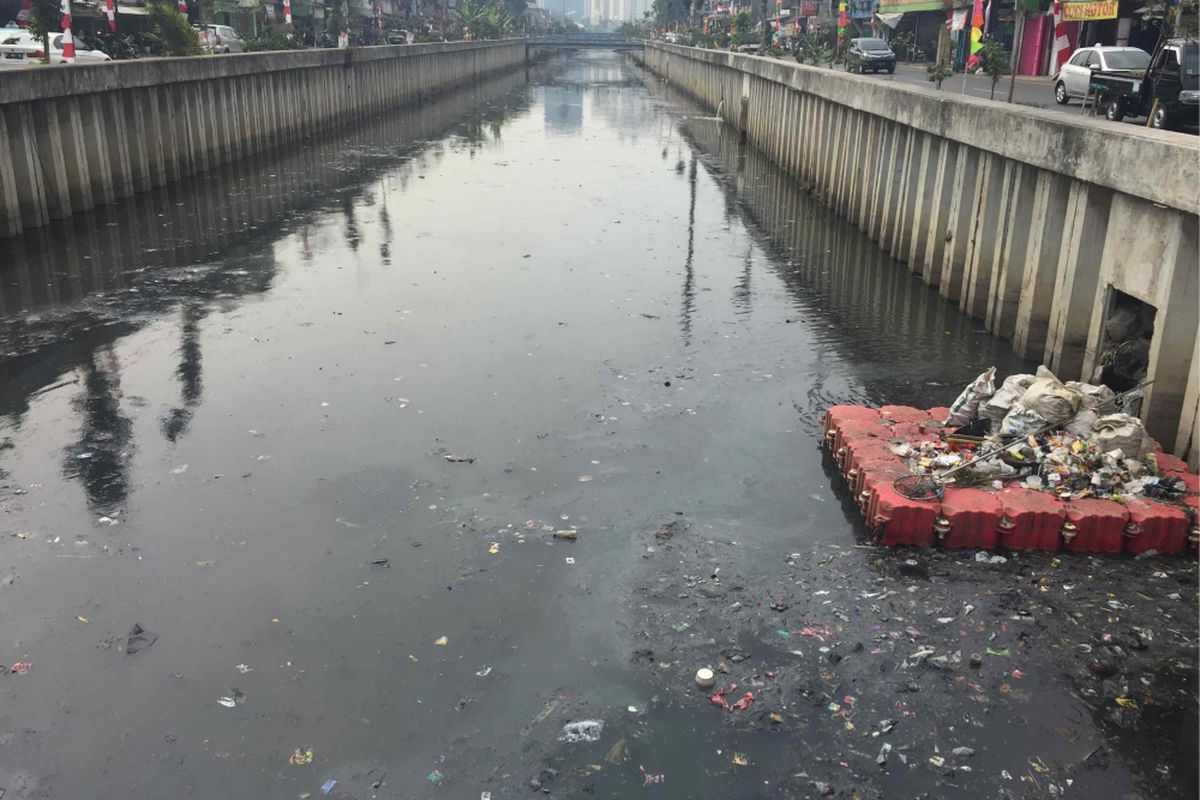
point(1036, 222)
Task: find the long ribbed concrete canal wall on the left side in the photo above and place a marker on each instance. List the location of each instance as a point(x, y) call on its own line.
point(74, 139)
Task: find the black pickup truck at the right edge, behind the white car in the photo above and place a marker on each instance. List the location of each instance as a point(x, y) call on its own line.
point(1168, 92)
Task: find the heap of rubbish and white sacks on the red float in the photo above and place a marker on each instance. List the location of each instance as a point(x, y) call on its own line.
point(1069, 438)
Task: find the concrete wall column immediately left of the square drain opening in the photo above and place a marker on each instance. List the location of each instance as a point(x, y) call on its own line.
point(1077, 278)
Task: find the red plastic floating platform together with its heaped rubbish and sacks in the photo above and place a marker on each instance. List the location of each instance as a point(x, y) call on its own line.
point(1065, 468)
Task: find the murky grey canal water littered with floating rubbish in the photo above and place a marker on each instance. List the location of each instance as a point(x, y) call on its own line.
point(436, 458)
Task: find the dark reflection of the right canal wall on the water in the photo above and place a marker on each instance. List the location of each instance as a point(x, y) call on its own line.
point(908, 344)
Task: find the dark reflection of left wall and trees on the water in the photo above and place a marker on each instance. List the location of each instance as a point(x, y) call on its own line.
point(70, 292)
